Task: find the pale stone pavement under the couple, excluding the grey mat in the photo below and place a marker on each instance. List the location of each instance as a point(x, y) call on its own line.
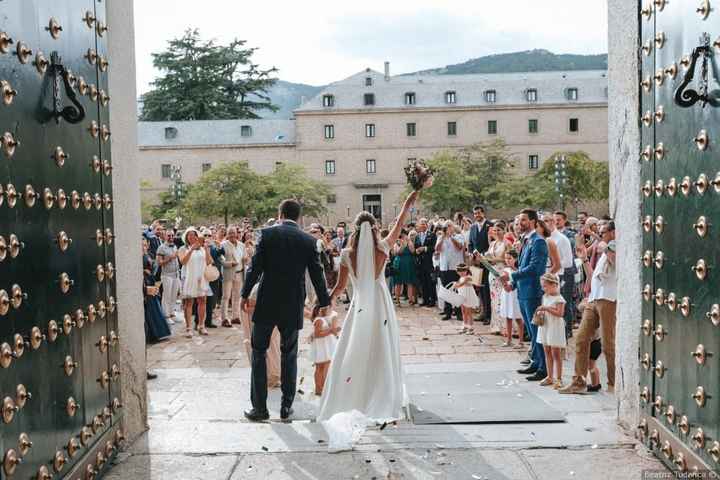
point(197, 430)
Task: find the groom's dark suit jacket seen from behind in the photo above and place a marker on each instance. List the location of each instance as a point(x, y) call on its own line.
point(283, 254)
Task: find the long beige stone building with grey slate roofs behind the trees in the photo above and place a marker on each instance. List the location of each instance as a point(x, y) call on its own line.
point(359, 133)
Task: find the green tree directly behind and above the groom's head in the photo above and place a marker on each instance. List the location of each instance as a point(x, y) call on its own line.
point(292, 181)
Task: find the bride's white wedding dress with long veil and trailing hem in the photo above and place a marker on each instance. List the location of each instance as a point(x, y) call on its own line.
point(365, 378)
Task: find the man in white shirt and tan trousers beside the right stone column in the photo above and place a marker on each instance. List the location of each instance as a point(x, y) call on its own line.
point(600, 313)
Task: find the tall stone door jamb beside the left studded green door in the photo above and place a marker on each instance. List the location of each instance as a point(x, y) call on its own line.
point(126, 196)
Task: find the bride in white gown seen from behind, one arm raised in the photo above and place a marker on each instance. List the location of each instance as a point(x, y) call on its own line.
point(365, 374)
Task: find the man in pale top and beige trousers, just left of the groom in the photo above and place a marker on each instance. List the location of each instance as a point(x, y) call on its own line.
point(233, 269)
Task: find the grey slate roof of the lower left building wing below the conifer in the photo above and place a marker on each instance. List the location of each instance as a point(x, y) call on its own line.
point(216, 132)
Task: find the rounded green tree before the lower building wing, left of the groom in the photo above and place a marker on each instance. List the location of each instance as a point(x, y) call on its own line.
point(228, 191)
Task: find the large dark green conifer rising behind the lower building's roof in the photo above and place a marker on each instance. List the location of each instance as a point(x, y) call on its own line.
point(205, 81)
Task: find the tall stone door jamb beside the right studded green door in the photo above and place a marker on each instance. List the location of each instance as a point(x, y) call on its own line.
point(624, 147)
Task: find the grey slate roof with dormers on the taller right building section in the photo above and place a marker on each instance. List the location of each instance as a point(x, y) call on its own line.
point(469, 89)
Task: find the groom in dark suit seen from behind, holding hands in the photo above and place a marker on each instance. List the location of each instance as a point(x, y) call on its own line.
point(283, 254)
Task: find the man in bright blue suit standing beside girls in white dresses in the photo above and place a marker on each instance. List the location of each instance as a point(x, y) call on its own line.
point(532, 265)
